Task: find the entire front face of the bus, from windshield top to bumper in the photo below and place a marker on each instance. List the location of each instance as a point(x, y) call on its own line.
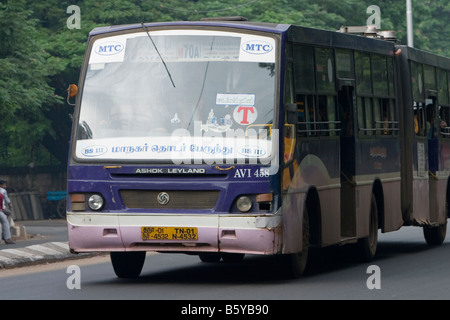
point(175, 142)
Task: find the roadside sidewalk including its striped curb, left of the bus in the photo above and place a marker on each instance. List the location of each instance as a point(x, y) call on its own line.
point(38, 241)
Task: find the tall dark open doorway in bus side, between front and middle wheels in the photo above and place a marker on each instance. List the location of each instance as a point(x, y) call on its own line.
point(346, 102)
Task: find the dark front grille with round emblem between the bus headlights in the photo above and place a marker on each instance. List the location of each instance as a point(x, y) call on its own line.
point(178, 199)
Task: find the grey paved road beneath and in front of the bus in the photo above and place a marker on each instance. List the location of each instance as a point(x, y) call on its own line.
point(408, 269)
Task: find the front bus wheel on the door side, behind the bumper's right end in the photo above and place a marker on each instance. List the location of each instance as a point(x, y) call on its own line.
point(294, 264)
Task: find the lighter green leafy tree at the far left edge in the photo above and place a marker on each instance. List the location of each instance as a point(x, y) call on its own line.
point(24, 89)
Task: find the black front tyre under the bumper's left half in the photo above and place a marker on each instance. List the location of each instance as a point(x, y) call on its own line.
point(128, 264)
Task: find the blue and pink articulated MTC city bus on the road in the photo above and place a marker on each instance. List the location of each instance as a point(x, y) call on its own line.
point(226, 138)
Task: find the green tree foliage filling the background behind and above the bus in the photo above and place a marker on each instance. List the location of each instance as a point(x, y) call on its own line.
point(40, 56)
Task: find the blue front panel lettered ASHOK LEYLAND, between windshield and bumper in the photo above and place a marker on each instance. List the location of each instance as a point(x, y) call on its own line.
point(196, 185)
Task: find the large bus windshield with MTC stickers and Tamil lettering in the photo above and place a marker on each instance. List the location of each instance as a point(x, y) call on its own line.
point(187, 96)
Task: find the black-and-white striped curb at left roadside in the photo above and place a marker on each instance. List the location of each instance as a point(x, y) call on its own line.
point(35, 254)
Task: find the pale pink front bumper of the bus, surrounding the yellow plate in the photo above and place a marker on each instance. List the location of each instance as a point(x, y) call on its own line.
point(248, 234)
